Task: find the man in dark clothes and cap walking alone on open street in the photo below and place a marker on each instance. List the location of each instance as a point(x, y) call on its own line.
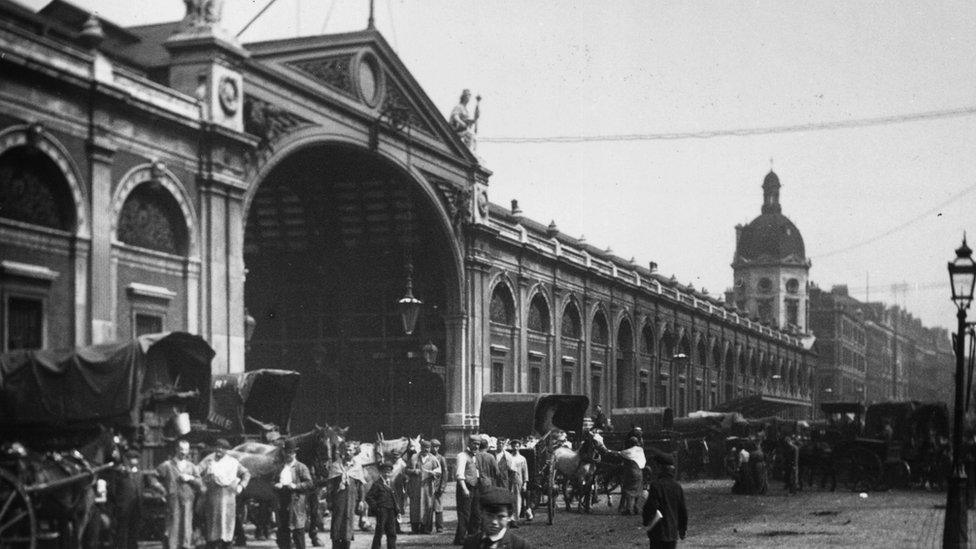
point(665, 514)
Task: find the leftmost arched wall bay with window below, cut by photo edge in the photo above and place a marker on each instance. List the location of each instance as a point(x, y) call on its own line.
point(45, 226)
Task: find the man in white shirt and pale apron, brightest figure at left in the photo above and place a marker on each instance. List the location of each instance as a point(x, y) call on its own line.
point(224, 478)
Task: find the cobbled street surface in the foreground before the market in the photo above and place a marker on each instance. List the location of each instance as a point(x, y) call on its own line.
point(721, 519)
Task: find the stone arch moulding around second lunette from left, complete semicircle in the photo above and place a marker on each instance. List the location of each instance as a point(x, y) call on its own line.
point(157, 172)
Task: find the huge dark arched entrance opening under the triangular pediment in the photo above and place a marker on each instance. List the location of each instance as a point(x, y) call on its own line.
point(329, 233)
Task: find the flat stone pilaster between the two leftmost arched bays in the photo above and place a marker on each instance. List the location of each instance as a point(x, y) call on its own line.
point(101, 290)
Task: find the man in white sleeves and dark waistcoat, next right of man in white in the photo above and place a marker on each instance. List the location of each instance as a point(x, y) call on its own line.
point(293, 484)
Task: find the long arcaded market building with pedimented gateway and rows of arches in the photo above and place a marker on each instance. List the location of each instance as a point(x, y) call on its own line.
point(284, 199)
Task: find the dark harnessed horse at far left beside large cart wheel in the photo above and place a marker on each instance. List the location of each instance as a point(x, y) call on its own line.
point(69, 506)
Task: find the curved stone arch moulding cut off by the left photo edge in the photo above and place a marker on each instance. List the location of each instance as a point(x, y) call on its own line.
point(35, 136)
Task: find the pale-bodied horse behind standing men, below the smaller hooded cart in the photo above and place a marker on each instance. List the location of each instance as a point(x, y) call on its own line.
point(264, 462)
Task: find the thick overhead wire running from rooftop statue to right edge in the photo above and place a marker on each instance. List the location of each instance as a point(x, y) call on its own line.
point(742, 132)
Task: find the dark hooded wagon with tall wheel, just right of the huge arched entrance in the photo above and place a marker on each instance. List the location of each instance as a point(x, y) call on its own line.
point(523, 415)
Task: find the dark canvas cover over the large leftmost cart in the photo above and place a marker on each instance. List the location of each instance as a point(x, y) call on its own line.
point(106, 383)
